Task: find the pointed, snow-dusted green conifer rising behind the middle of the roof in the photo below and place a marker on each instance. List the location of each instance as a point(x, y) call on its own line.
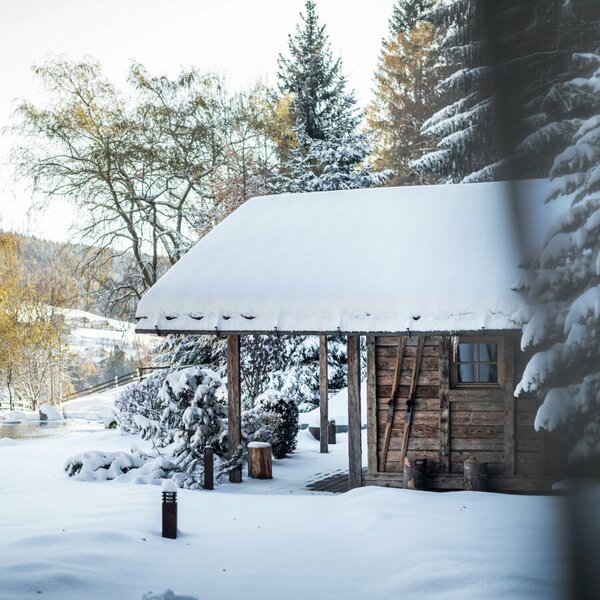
point(329, 152)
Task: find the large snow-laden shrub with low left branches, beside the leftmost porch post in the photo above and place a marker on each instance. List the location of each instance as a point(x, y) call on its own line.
point(181, 421)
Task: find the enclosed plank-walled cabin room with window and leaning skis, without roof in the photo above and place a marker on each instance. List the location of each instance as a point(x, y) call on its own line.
point(464, 409)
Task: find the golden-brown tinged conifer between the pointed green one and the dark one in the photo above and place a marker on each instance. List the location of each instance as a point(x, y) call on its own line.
point(405, 90)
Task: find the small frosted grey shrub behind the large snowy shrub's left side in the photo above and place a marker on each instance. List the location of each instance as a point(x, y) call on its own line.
point(139, 400)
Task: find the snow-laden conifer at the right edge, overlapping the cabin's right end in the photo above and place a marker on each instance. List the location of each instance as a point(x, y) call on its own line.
point(564, 326)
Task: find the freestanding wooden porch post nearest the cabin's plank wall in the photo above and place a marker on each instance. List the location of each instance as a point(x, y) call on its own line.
point(354, 425)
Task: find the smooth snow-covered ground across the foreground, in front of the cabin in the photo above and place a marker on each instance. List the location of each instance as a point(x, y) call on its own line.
point(64, 539)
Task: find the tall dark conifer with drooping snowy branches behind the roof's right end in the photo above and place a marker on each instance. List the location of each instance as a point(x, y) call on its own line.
point(506, 55)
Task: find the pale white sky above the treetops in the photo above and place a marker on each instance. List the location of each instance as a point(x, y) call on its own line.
point(239, 39)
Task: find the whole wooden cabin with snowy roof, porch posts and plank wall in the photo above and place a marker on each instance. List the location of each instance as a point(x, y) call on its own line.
point(429, 274)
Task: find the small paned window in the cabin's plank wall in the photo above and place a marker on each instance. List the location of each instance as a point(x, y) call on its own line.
point(477, 362)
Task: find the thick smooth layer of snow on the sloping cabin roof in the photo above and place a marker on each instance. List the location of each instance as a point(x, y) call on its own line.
point(385, 260)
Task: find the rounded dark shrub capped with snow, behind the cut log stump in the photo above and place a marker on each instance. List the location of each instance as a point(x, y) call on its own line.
point(279, 412)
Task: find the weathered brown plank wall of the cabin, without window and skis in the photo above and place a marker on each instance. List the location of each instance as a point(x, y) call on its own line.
point(450, 425)
